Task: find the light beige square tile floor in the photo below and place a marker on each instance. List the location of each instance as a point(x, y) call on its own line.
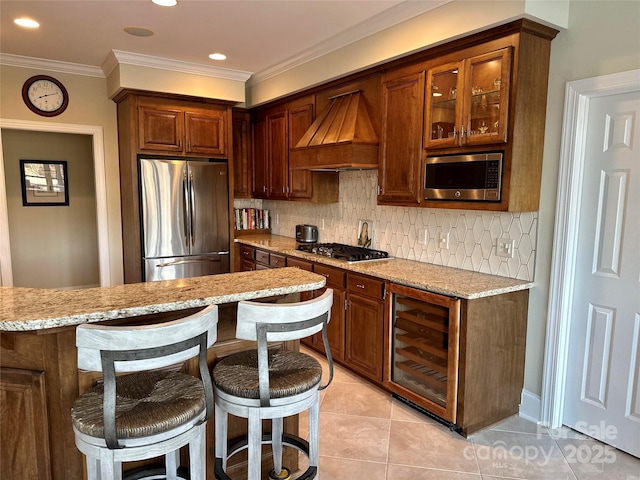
point(365, 434)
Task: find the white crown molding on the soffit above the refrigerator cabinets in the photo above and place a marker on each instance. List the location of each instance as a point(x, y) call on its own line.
point(118, 57)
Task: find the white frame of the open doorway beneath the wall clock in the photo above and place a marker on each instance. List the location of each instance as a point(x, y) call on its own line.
point(96, 132)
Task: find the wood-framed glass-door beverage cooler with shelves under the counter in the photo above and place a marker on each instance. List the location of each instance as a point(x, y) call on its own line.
point(425, 333)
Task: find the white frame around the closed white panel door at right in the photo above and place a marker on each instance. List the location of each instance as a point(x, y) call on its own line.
point(572, 154)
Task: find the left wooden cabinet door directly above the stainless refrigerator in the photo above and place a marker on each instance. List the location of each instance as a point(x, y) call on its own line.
point(161, 128)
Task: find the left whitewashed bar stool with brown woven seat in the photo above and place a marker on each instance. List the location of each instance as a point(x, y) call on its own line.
point(152, 410)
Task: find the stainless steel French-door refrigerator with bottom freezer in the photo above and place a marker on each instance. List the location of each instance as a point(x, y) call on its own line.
point(185, 218)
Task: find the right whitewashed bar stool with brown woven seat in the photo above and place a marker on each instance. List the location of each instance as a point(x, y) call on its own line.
point(271, 384)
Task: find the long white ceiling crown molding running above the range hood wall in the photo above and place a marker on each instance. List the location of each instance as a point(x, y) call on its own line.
point(402, 12)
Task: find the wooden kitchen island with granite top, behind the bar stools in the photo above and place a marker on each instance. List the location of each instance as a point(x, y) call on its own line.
point(40, 379)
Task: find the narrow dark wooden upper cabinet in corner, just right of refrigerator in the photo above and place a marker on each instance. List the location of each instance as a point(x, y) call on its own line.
point(242, 171)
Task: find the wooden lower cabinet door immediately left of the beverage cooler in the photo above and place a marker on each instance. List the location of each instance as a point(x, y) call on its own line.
point(365, 335)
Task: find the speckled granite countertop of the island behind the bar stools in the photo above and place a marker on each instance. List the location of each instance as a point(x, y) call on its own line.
point(23, 309)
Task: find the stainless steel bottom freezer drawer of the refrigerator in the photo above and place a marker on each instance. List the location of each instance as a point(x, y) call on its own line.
point(184, 267)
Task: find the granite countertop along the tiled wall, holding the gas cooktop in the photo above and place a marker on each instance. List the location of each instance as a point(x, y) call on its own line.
point(452, 282)
